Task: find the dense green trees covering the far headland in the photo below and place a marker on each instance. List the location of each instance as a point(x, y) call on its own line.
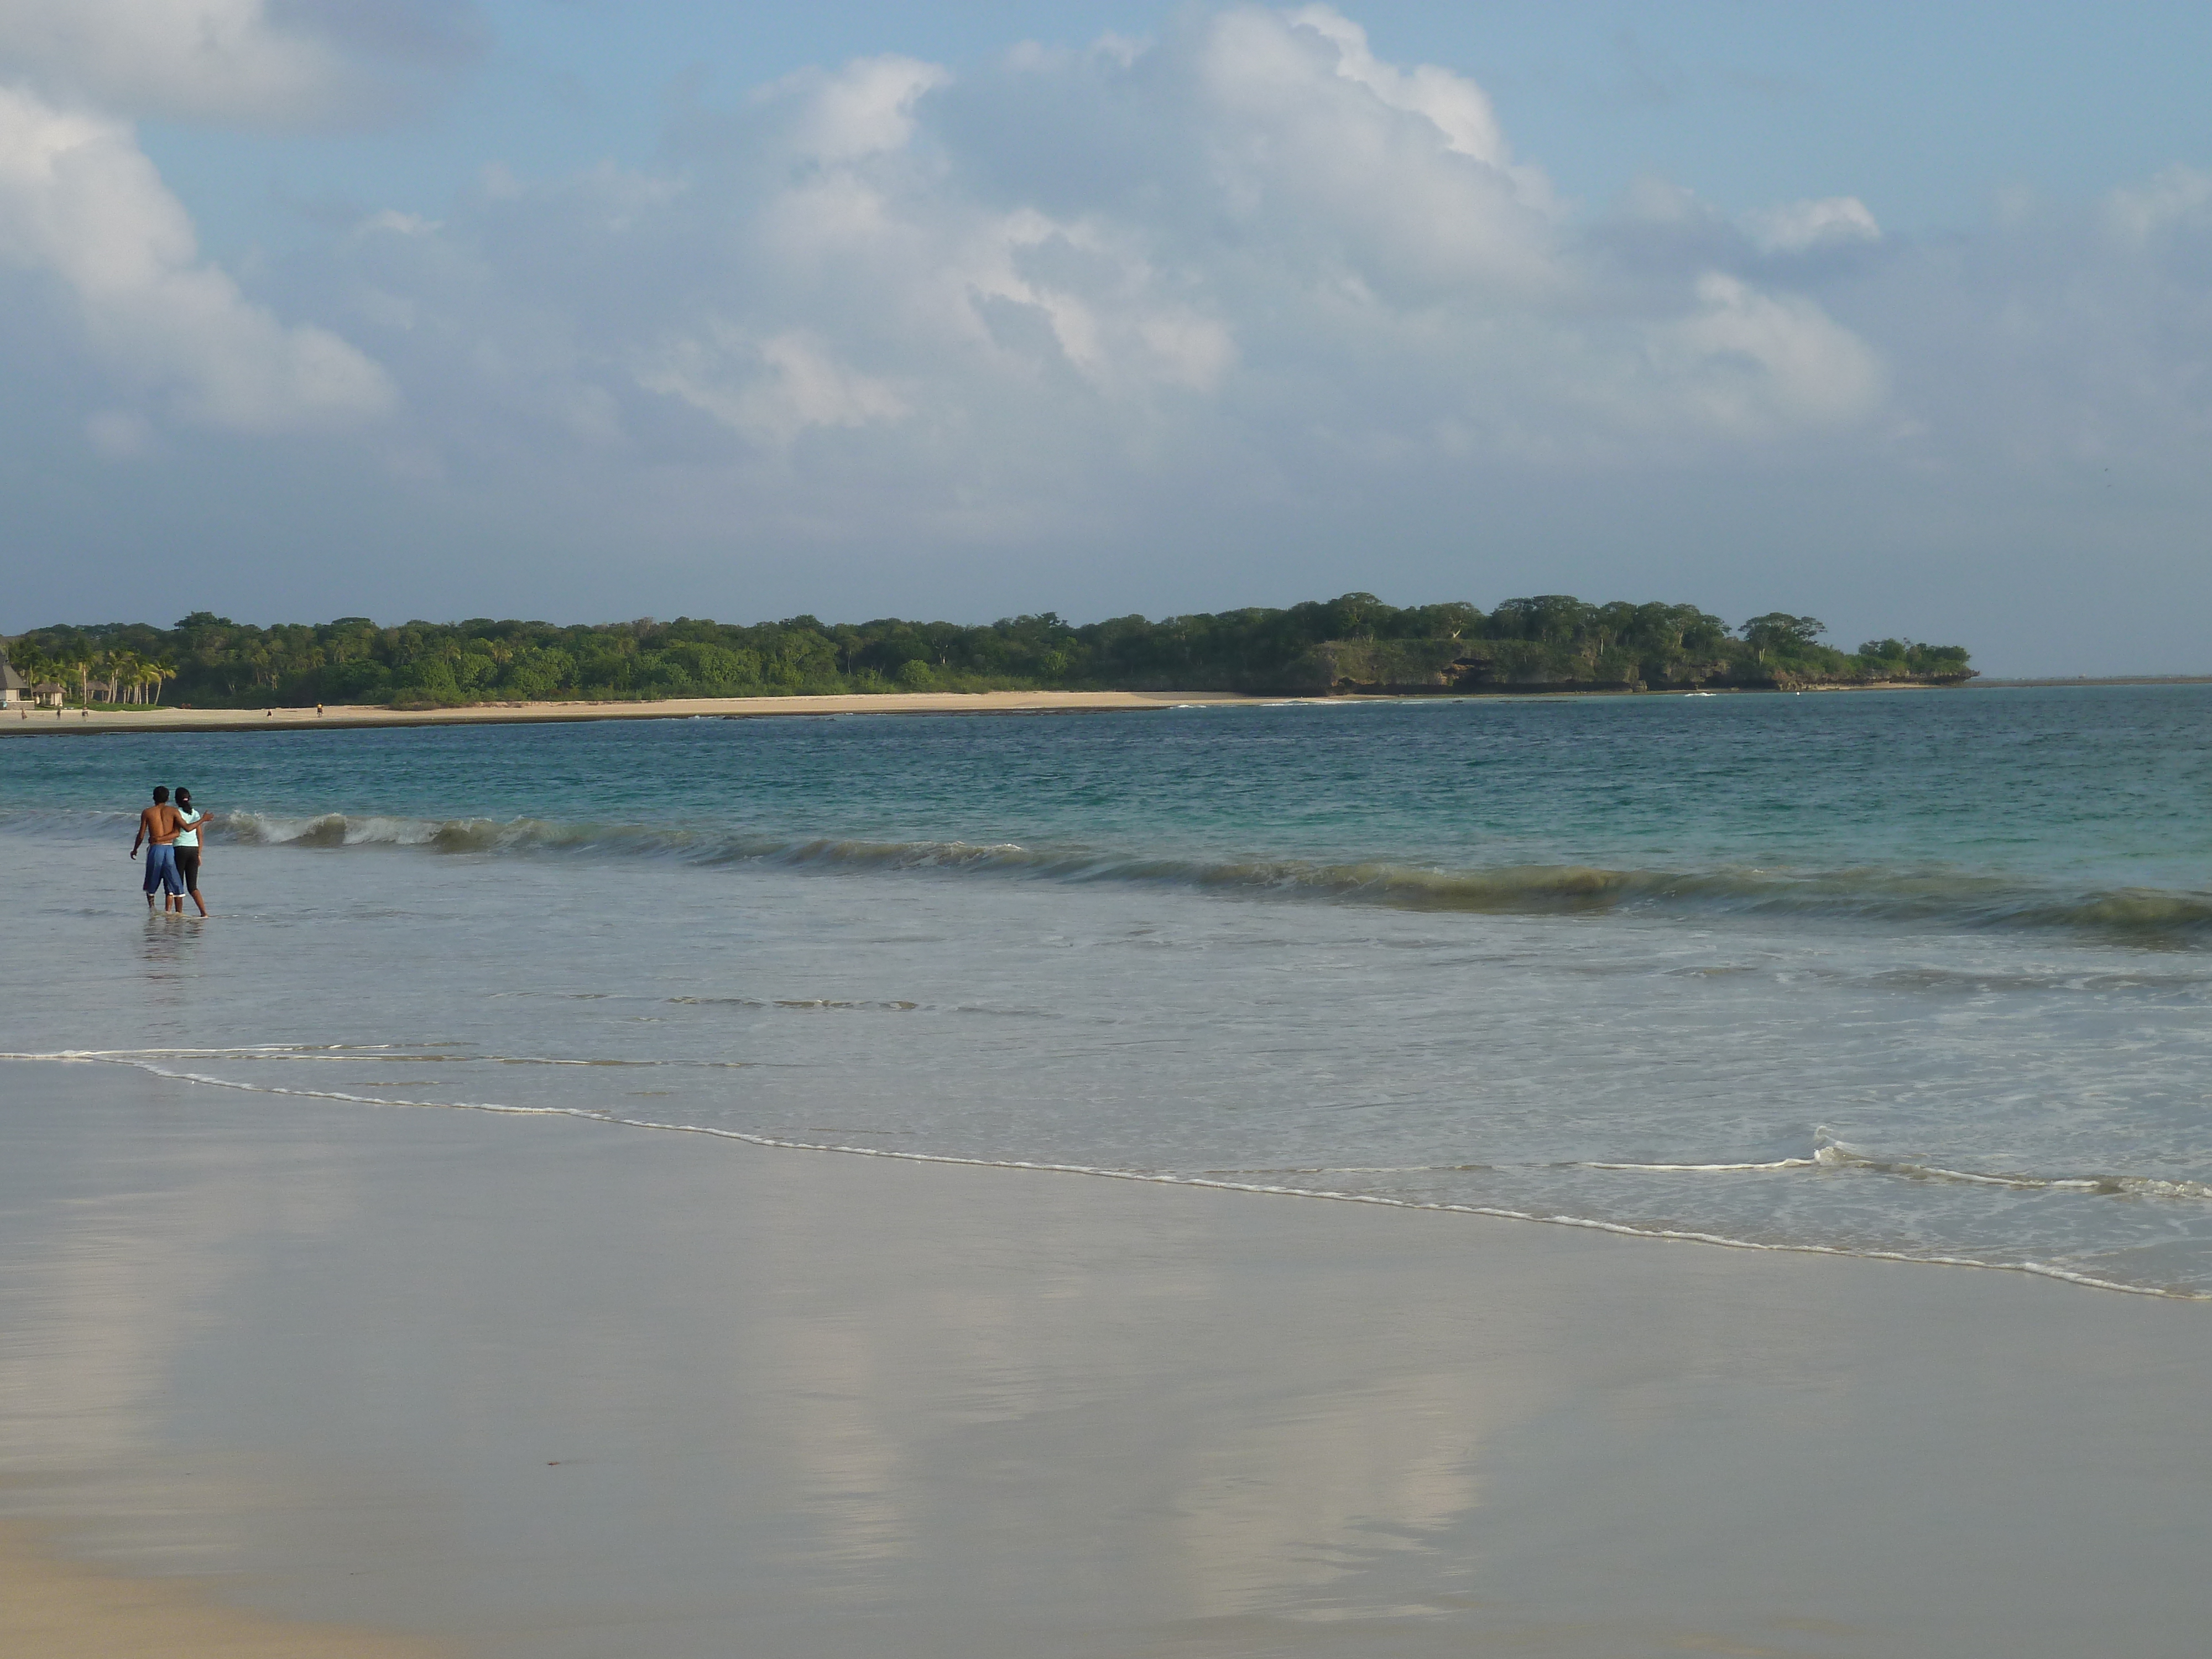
point(1355, 643)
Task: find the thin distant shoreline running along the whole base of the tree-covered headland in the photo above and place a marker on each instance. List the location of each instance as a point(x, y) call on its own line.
point(129, 718)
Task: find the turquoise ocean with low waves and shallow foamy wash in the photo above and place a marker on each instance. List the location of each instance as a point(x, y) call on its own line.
point(1897, 974)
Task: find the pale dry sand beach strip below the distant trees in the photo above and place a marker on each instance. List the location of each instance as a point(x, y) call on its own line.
point(28, 722)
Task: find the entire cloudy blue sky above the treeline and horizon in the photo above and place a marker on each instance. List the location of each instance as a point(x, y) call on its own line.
point(1897, 315)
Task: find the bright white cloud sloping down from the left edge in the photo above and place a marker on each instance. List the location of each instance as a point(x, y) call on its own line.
point(81, 202)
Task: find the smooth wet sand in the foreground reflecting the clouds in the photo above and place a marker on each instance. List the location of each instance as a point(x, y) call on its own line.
point(556, 1388)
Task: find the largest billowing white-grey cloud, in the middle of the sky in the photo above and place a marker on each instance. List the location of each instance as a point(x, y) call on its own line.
point(1251, 238)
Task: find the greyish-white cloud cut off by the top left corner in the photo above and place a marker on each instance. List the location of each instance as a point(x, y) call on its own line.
point(300, 63)
